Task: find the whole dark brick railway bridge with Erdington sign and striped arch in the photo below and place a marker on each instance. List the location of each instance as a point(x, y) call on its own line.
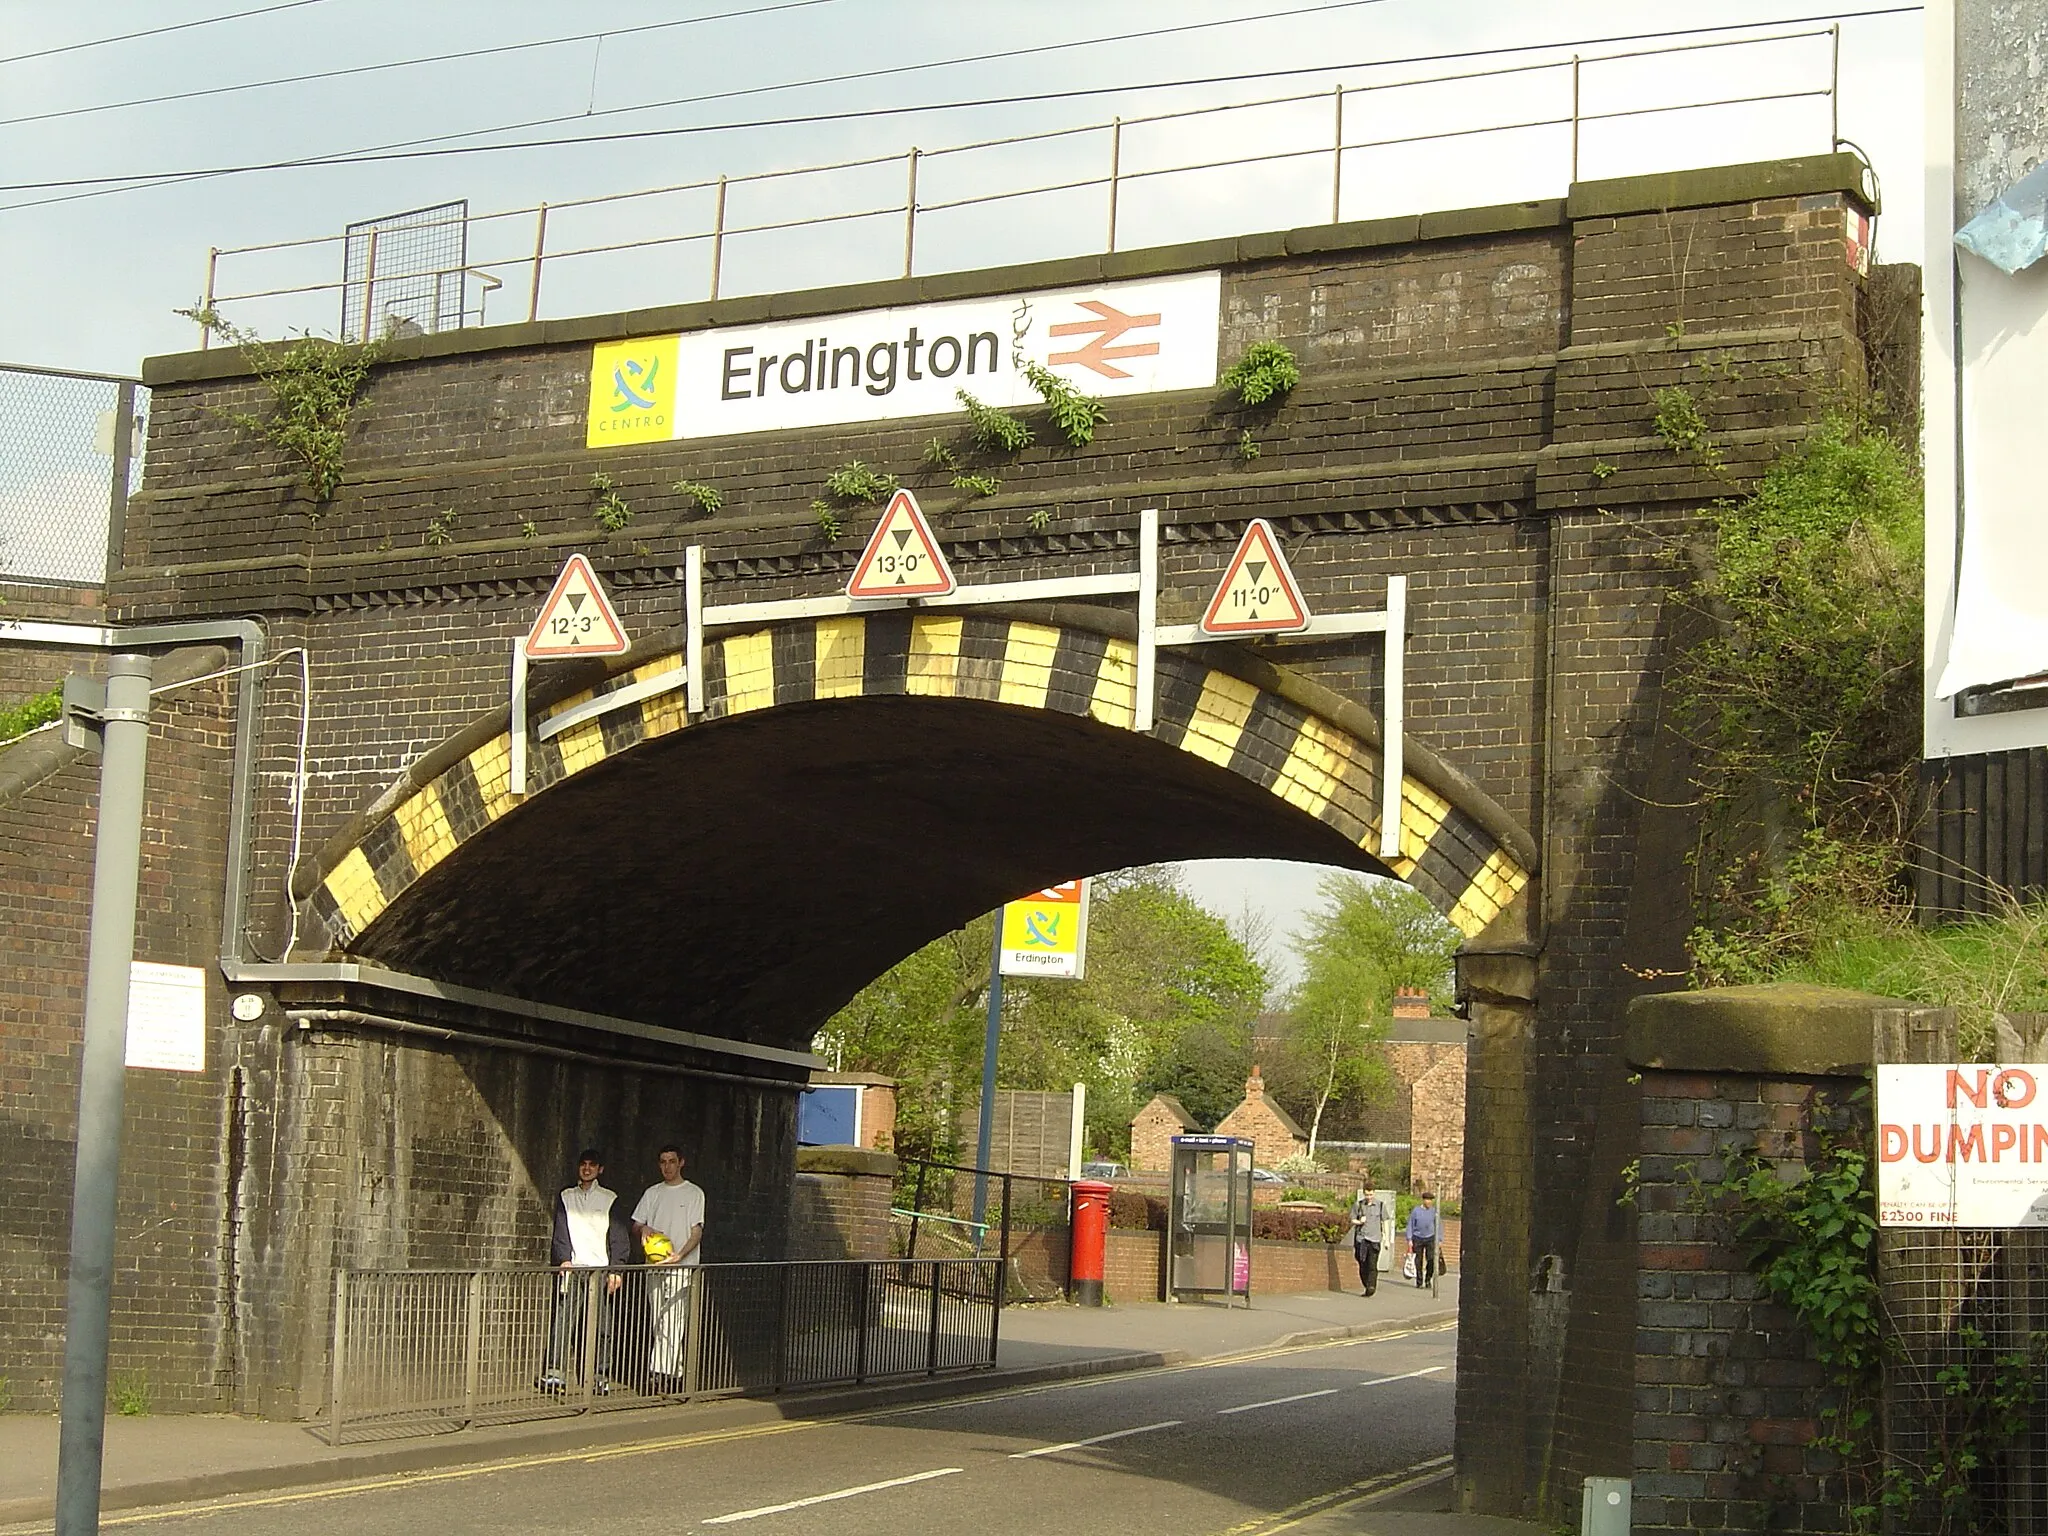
point(425, 990)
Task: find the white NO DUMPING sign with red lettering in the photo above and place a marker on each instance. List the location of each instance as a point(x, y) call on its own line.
point(1963, 1146)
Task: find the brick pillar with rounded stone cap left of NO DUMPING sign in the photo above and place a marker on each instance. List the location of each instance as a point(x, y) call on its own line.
point(1730, 1392)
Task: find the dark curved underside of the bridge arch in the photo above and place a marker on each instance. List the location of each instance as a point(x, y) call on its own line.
point(751, 876)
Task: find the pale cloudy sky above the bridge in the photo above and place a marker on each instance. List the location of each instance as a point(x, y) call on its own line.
point(103, 273)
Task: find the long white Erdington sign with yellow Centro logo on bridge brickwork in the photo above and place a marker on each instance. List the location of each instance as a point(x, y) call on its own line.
point(1117, 339)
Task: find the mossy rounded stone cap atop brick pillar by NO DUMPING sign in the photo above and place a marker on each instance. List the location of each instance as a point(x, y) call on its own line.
point(1783, 1029)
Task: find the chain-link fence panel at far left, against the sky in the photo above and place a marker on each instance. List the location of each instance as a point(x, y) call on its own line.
point(71, 456)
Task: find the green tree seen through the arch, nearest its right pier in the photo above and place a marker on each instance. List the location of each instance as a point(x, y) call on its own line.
point(1369, 939)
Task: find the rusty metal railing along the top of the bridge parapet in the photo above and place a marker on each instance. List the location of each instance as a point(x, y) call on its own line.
point(433, 269)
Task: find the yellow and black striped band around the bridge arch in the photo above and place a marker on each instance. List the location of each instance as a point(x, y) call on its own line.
point(1291, 753)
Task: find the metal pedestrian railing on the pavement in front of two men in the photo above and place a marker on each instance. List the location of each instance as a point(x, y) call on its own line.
point(431, 1351)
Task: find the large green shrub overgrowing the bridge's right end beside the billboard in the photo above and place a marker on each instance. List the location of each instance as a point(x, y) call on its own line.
point(1803, 701)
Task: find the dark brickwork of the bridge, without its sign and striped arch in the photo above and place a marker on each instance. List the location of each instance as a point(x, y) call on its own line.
point(1476, 415)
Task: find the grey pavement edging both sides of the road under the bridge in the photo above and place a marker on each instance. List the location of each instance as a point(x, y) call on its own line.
point(173, 1459)
